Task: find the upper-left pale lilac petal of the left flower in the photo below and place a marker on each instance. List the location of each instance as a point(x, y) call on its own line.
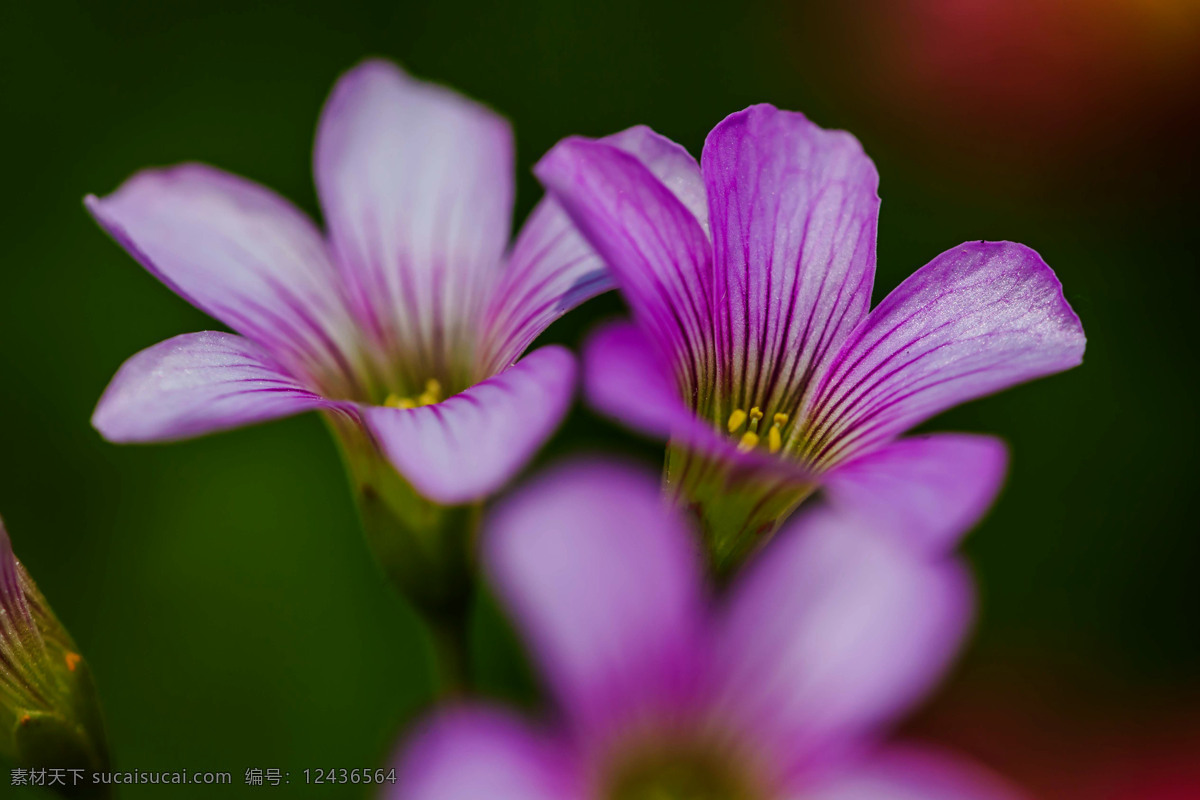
point(238, 252)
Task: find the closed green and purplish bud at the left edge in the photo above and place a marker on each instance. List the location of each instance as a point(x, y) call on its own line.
point(50, 713)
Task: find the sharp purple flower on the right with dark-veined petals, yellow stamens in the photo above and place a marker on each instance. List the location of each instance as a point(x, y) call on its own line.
point(753, 347)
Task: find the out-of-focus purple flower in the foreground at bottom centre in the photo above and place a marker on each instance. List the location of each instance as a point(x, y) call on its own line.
point(777, 691)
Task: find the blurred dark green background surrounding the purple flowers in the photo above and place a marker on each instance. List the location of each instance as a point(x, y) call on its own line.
point(221, 588)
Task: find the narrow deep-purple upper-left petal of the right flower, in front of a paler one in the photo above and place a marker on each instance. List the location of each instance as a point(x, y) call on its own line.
point(656, 248)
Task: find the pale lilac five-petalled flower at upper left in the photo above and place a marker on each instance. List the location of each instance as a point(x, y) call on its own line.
point(405, 321)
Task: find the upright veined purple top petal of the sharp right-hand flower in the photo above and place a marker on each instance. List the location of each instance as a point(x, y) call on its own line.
point(795, 214)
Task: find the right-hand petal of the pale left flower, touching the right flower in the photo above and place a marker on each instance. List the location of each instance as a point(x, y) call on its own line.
point(551, 270)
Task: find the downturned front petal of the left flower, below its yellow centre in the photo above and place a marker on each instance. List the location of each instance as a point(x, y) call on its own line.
point(469, 446)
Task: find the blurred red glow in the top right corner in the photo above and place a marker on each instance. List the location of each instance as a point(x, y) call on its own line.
point(1035, 85)
